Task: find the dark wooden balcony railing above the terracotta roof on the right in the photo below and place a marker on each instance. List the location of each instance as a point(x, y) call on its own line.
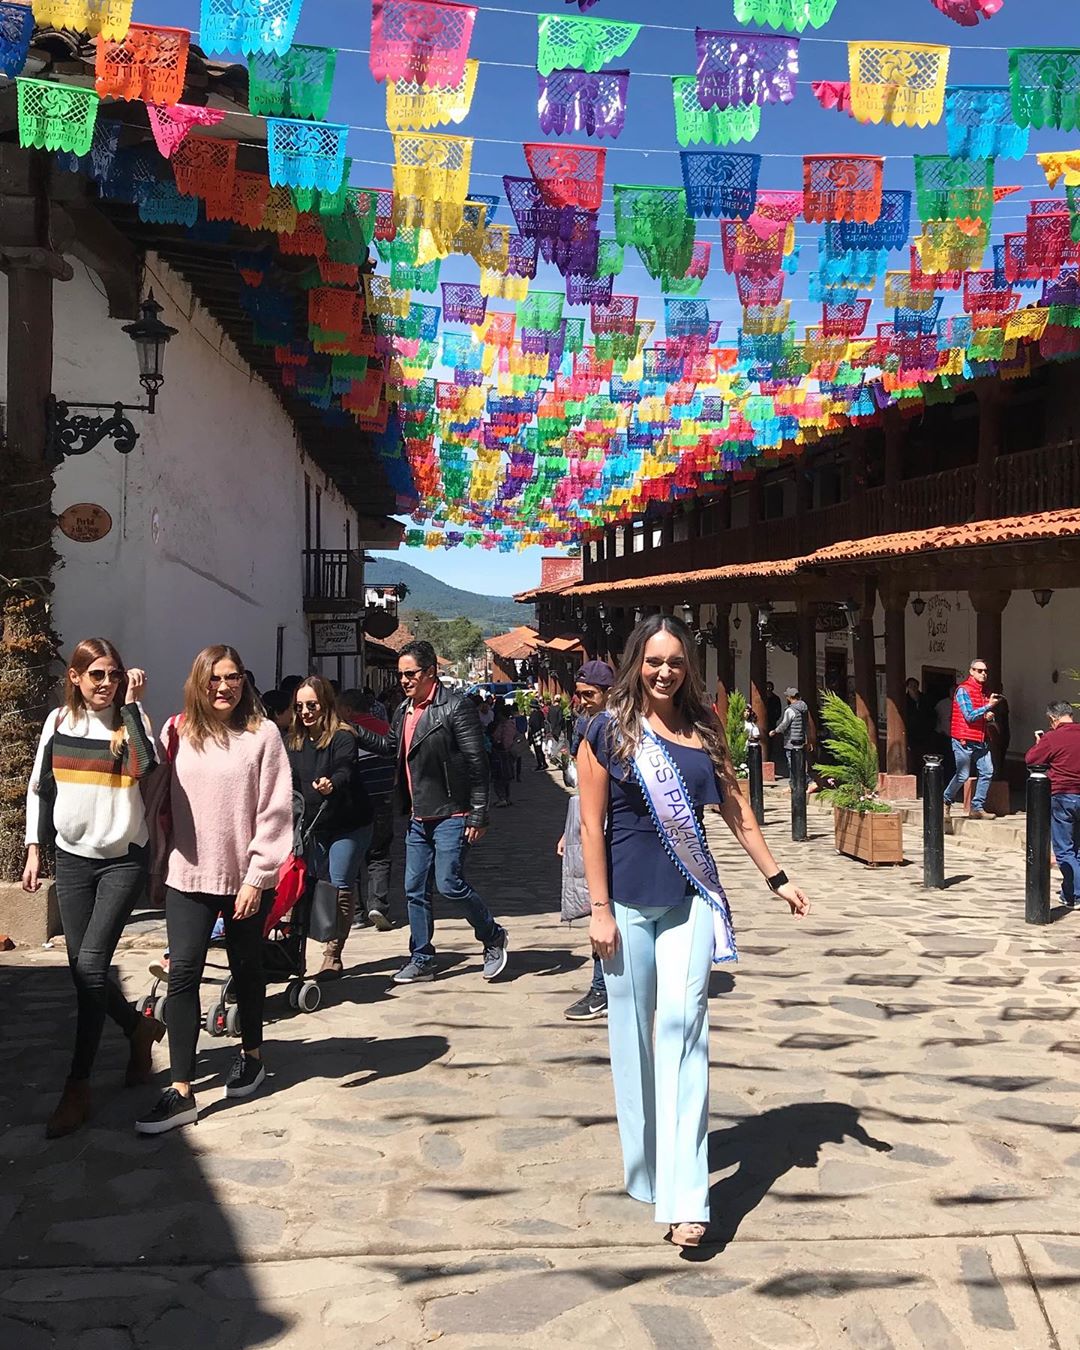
point(1023, 485)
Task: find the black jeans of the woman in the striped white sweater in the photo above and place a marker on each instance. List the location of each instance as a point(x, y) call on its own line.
point(97, 897)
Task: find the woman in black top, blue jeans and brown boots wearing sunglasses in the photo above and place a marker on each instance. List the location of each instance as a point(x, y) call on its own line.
point(337, 809)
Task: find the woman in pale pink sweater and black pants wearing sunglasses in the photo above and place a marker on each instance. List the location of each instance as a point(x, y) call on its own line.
point(232, 803)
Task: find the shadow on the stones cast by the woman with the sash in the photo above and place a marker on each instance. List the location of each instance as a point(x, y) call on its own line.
point(765, 1148)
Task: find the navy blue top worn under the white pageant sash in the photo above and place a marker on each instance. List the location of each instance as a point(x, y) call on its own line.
point(639, 870)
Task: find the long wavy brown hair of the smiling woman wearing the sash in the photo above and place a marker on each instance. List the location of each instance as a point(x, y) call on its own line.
point(627, 701)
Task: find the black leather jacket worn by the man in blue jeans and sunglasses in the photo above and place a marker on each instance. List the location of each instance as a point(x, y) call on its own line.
point(448, 762)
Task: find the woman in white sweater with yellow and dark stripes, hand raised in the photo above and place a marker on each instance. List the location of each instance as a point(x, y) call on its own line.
point(97, 750)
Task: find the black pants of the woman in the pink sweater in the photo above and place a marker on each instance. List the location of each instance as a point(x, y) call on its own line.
point(190, 920)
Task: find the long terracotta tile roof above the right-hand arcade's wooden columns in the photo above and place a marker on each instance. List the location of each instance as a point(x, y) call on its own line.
point(1013, 530)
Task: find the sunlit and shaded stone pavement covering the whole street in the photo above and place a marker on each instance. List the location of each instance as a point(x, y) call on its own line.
point(896, 1140)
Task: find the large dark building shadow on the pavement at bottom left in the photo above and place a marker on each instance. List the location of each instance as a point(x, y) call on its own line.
point(105, 1228)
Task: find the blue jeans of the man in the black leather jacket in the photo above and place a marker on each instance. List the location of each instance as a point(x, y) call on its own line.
point(441, 844)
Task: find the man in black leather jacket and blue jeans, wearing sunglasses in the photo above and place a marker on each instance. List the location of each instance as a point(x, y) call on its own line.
point(442, 784)
